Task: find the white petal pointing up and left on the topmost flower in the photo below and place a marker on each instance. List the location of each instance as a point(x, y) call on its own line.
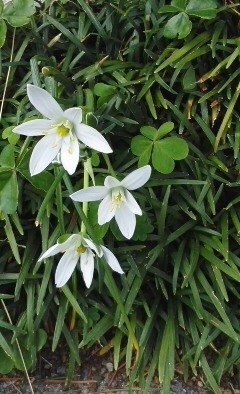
point(44, 102)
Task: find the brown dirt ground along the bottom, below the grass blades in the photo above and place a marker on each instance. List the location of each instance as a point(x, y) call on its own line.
point(94, 375)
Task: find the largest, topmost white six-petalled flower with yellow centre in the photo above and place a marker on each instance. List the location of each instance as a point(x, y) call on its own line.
point(61, 131)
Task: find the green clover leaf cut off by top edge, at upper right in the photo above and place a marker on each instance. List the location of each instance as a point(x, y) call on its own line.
point(206, 9)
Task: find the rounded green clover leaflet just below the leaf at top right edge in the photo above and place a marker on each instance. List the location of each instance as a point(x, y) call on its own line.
point(178, 26)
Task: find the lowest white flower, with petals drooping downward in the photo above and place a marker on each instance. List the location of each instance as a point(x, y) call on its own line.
point(78, 247)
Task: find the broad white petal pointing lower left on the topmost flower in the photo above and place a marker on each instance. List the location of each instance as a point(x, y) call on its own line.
point(43, 153)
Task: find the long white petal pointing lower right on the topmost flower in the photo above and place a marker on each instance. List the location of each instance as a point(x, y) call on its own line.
point(92, 138)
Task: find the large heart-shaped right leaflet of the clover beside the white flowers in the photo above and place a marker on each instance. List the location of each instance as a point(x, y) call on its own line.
point(166, 151)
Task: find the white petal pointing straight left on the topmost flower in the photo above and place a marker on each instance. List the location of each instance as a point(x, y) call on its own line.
point(34, 127)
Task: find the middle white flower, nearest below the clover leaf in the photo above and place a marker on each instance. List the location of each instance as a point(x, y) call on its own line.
point(117, 200)
